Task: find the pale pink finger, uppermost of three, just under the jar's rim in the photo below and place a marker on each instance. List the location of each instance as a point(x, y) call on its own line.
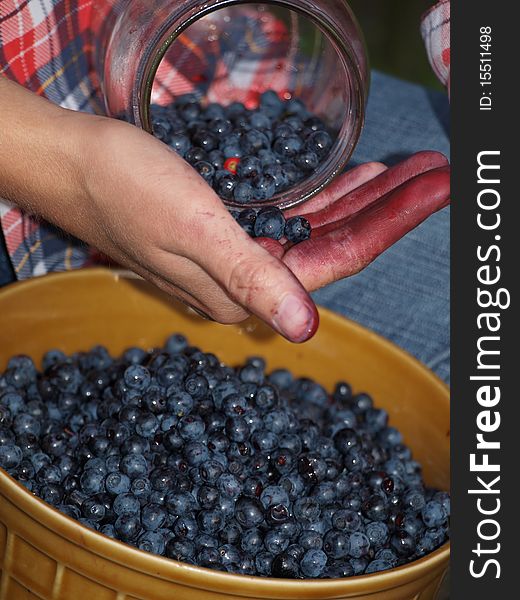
point(341, 186)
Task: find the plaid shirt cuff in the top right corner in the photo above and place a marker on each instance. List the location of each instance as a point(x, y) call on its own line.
point(435, 30)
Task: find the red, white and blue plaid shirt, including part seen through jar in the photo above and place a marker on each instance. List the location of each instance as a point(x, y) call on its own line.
point(46, 45)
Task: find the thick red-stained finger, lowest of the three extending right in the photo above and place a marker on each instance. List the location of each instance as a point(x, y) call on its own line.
point(348, 249)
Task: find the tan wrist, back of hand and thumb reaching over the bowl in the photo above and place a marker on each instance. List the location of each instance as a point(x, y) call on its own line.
point(128, 195)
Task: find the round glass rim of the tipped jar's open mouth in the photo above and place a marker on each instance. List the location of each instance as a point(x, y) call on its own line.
point(348, 135)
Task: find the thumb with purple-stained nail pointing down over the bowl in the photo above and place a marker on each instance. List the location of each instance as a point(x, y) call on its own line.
point(259, 281)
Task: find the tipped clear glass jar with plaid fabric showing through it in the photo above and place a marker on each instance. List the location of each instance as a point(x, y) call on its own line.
point(230, 50)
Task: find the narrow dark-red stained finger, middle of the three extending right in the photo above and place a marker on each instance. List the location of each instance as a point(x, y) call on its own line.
point(375, 188)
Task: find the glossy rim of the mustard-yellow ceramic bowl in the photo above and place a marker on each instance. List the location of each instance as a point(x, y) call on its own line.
point(200, 577)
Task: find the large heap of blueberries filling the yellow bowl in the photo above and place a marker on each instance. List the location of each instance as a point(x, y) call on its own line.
point(229, 468)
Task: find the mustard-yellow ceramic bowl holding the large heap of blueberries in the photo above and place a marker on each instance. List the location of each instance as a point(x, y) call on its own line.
point(44, 554)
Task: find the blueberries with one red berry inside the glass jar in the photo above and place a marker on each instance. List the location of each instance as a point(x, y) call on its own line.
point(245, 155)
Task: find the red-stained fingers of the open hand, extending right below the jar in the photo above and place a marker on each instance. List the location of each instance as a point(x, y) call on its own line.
point(362, 213)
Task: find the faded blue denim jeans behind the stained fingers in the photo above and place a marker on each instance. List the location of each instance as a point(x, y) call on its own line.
point(404, 294)
